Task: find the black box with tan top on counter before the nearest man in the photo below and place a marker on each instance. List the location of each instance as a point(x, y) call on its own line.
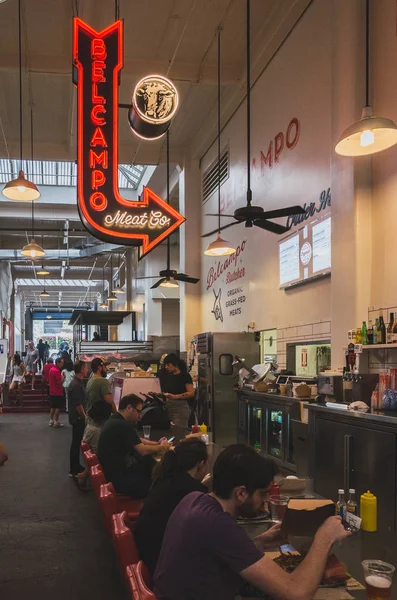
point(304, 517)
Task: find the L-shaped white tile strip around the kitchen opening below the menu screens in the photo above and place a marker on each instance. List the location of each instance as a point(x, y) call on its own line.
point(307, 332)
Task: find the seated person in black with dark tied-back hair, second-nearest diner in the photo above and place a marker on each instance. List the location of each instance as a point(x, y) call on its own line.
point(180, 472)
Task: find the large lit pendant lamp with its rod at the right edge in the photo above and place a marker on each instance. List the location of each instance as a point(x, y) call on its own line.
point(370, 134)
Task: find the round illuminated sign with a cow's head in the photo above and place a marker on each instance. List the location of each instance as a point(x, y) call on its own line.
point(154, 103)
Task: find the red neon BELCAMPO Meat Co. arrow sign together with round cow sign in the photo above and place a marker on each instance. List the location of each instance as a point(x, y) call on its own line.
point(98, 60)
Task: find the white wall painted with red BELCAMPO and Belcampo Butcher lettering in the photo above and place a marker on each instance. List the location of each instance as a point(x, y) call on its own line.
point(296, 84)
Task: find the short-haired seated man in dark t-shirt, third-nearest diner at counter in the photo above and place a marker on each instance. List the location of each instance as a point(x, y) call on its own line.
point(126, 459)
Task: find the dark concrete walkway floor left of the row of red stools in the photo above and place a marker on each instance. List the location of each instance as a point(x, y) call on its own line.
point(53, 542)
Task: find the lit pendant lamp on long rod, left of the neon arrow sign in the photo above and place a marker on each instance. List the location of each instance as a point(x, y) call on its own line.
point(21, 189)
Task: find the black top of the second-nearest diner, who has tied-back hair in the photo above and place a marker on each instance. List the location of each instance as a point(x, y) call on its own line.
point(163, 498)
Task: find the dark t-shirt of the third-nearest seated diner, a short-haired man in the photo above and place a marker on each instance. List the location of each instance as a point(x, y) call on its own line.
point(116, 447)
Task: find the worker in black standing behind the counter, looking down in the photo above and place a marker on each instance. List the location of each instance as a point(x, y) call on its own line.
point(177, 385)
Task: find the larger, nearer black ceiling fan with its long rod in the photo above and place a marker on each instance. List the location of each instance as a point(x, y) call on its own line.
point(254, 215)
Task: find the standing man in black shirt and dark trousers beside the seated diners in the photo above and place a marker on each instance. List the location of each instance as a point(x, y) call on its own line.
point(76, 397)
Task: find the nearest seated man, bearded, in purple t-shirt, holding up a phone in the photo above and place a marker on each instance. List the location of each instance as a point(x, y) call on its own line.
point(205, 553)
